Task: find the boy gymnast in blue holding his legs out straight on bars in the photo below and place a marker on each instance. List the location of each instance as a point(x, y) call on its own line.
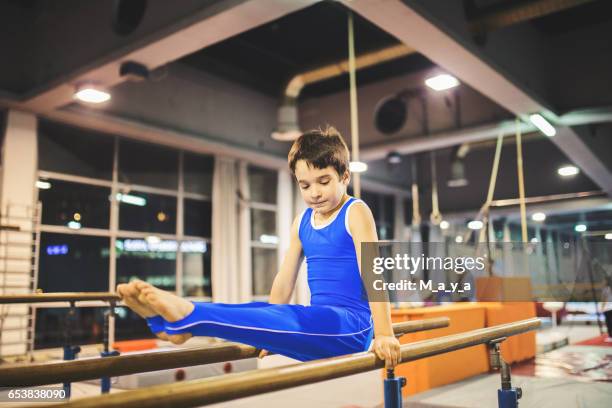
point(329, 233)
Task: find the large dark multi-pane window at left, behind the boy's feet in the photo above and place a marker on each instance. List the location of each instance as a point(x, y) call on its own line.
point(77, 225)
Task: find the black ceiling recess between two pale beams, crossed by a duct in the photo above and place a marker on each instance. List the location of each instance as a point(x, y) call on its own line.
point(266, 57)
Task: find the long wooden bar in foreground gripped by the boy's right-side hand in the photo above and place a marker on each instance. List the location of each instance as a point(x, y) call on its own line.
point(240, 385)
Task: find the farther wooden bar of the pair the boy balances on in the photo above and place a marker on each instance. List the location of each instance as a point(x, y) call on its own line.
point(26, 375)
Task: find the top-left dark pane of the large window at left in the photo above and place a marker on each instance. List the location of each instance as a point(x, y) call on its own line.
point(82, 152)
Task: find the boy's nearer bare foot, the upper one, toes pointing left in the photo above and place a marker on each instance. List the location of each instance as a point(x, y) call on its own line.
point(168, 305)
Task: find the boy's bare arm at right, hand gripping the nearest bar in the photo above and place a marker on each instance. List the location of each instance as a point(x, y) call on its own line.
point(363, 229)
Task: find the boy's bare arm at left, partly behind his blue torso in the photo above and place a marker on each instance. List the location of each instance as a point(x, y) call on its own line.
point(284, 282)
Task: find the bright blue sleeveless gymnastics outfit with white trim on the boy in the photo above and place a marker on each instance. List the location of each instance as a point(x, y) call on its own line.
point(337, 322)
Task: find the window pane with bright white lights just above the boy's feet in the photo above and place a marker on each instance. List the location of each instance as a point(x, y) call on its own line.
point(153, 261)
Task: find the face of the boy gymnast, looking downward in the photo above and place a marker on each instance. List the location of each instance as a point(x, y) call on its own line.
point(322, 189)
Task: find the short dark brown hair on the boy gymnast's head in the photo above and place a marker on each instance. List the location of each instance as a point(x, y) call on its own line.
point(320, 148)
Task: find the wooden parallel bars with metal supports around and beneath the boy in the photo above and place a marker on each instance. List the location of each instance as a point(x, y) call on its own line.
point(238, 385)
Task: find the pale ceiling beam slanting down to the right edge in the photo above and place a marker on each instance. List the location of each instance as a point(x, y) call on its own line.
point(407, 21)
